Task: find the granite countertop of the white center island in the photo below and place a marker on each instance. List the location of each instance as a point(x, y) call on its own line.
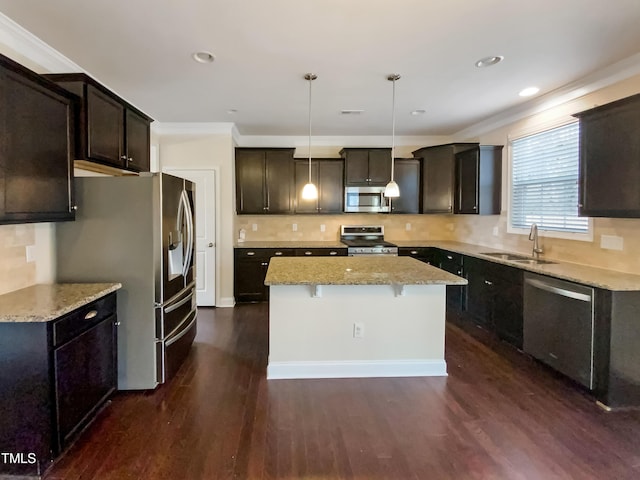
point(380, 270)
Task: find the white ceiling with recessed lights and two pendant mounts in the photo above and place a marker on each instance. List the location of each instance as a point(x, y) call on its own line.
point(142, 50)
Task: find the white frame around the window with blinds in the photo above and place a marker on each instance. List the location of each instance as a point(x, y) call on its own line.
point(579, 236)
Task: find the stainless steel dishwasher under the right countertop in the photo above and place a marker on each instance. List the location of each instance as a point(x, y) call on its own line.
point(558, 325)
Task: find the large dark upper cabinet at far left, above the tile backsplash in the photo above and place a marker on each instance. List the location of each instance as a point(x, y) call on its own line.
point(36, 124)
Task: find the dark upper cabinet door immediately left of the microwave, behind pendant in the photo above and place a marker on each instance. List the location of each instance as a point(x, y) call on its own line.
point(328, 176)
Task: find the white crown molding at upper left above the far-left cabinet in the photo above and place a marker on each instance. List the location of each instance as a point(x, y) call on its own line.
point(27, 44)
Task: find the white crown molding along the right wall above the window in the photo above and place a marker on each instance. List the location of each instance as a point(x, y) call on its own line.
point(602, 78)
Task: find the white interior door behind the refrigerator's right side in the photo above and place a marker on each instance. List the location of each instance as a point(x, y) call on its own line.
point(205, 213)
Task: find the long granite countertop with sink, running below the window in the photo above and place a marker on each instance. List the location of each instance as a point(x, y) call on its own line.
point(592, 276)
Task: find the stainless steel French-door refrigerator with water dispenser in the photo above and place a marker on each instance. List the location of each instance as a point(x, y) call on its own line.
point(139, 231)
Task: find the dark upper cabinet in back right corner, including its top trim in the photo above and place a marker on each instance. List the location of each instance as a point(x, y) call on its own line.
point(438, 175)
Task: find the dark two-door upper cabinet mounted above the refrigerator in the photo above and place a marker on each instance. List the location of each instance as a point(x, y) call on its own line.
point(109, 131)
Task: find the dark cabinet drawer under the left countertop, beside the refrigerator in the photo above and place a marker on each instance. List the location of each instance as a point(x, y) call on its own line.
point(80, 320)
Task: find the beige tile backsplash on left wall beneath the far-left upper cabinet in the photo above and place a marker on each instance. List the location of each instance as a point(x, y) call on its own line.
point(15, 271)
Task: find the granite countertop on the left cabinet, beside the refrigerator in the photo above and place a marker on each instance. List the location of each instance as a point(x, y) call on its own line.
point(41, 303)
